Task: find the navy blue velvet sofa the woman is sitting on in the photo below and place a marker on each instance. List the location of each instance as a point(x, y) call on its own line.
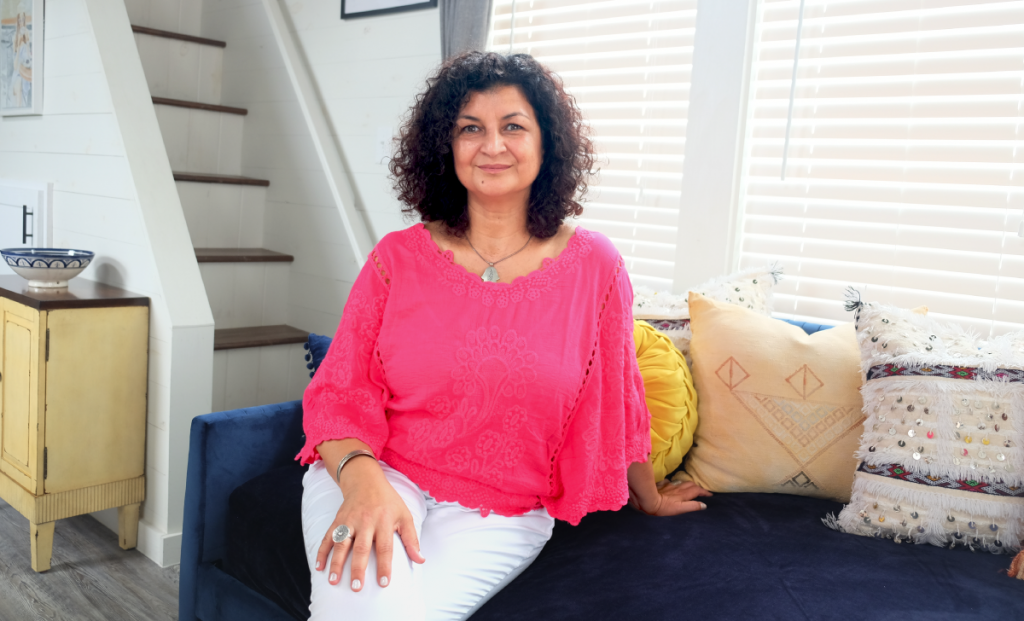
point(748, 557)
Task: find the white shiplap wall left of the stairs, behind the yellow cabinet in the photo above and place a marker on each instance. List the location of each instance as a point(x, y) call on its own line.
point(99, 143)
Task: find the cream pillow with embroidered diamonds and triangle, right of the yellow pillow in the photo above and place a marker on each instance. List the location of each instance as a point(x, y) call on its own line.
point(780, 409)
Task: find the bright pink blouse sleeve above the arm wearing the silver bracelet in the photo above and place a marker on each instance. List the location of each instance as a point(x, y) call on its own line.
point(348, 396)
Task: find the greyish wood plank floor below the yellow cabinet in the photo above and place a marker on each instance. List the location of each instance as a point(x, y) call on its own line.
point(91, 576)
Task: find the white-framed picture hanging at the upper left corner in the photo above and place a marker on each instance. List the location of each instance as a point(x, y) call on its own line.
point(21, 58)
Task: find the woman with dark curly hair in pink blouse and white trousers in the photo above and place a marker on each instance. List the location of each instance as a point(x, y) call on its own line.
point(484, 381)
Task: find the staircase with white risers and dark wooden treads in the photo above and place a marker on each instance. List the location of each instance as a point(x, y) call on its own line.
point(259, 358)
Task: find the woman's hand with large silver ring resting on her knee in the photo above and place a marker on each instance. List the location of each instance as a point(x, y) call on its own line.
point(373, 512)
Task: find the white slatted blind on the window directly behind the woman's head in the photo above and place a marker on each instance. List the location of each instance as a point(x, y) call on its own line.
point(628, 66)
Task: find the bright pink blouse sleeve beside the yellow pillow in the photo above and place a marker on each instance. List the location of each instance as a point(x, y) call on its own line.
point(611, 426)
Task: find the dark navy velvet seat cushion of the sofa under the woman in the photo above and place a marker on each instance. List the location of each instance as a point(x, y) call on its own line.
point(749, 556)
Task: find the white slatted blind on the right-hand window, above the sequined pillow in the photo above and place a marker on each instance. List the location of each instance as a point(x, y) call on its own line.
point(905, 175)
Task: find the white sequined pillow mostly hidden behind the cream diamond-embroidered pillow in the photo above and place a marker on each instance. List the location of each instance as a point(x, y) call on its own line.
point(670, 314)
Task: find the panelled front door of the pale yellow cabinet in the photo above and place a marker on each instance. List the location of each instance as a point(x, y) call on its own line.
point(20, 388)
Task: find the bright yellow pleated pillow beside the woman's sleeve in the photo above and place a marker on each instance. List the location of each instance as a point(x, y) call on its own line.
point(670, 396)
